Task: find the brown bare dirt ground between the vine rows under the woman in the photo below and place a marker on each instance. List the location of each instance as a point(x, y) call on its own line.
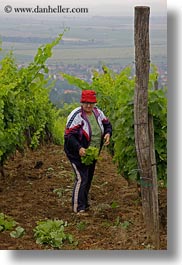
point(115, 218)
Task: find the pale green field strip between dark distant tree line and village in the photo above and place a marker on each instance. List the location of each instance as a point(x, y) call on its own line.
point(87, 55)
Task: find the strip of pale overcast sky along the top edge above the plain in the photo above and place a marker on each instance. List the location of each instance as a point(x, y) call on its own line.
point(96, 7)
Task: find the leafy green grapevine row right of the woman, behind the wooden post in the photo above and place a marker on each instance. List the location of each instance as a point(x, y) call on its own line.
point(115, 94)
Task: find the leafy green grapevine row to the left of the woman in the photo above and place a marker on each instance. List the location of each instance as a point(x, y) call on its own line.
point(27, 116)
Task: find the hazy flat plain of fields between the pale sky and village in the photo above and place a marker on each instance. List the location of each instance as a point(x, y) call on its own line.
point(87, 41)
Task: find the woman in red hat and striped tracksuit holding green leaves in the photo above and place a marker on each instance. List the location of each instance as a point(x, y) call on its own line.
point(86, 126)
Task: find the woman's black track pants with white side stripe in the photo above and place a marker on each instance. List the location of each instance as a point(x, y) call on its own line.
point(83, 179)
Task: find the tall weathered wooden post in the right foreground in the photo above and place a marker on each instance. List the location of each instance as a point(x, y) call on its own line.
point(143, 126)
